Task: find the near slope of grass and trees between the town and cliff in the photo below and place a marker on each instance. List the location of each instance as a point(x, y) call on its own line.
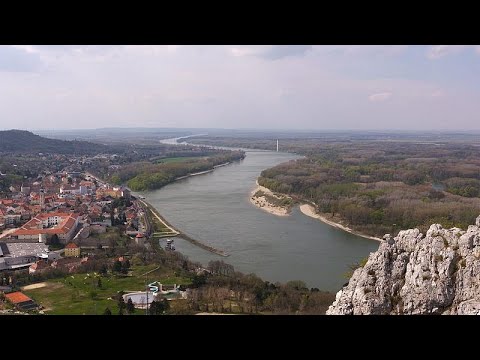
point(219, 288)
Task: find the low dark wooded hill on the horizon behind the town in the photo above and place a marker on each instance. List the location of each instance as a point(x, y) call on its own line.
point(21, 141)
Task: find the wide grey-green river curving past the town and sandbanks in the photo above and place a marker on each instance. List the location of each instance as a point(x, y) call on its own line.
point(215, 209)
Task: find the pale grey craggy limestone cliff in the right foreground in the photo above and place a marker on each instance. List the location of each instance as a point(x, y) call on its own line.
point(436, 273)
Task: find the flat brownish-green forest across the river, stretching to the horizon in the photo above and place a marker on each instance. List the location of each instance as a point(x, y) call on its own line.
point(378, 187)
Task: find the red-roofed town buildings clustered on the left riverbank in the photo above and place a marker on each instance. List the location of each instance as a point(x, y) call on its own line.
point(61, 220)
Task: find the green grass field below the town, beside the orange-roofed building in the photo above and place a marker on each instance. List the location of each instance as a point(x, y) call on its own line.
point(78, 294)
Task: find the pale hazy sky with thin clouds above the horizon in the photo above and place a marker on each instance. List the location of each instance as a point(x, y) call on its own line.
point(348, 87)
